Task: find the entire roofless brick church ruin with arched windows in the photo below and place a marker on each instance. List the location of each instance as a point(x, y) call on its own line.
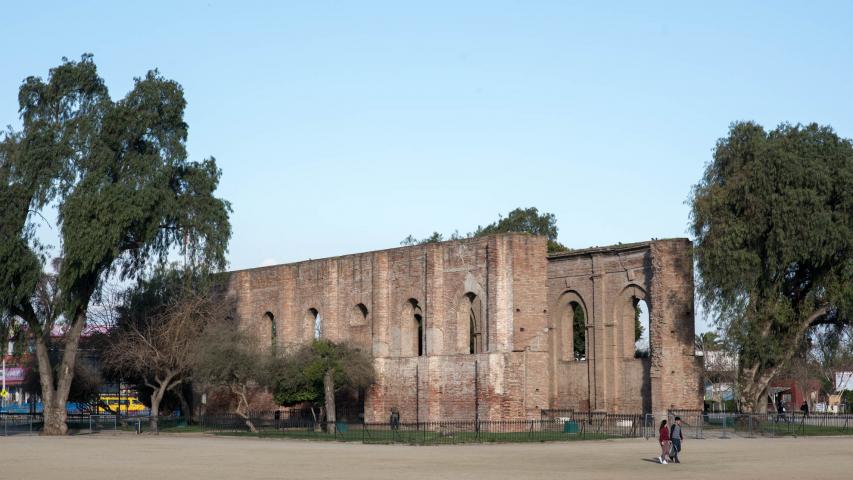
point(519, 296)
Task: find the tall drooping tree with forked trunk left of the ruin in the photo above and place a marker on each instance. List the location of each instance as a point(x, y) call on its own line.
point(118, 173)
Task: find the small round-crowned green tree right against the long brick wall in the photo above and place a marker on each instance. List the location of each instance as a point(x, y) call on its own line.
point(314, 373)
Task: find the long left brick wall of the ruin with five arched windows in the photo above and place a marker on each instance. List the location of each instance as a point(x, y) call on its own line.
point(367, 298)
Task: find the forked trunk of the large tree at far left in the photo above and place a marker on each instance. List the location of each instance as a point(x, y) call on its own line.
point(56, 396)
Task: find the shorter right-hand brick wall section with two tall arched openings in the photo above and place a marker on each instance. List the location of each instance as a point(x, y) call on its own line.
point(606, 282)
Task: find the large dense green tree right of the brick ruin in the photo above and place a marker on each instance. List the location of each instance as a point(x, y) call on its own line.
point(773, 224)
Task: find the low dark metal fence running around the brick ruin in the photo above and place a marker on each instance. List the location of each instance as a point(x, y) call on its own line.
point(553, 425)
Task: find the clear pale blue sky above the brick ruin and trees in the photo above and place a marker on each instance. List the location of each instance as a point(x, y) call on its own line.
point(345, 126)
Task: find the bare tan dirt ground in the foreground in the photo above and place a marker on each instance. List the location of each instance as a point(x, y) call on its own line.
point(130, 457)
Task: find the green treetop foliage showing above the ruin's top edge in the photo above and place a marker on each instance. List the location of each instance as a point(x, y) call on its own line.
point(519, 220)
